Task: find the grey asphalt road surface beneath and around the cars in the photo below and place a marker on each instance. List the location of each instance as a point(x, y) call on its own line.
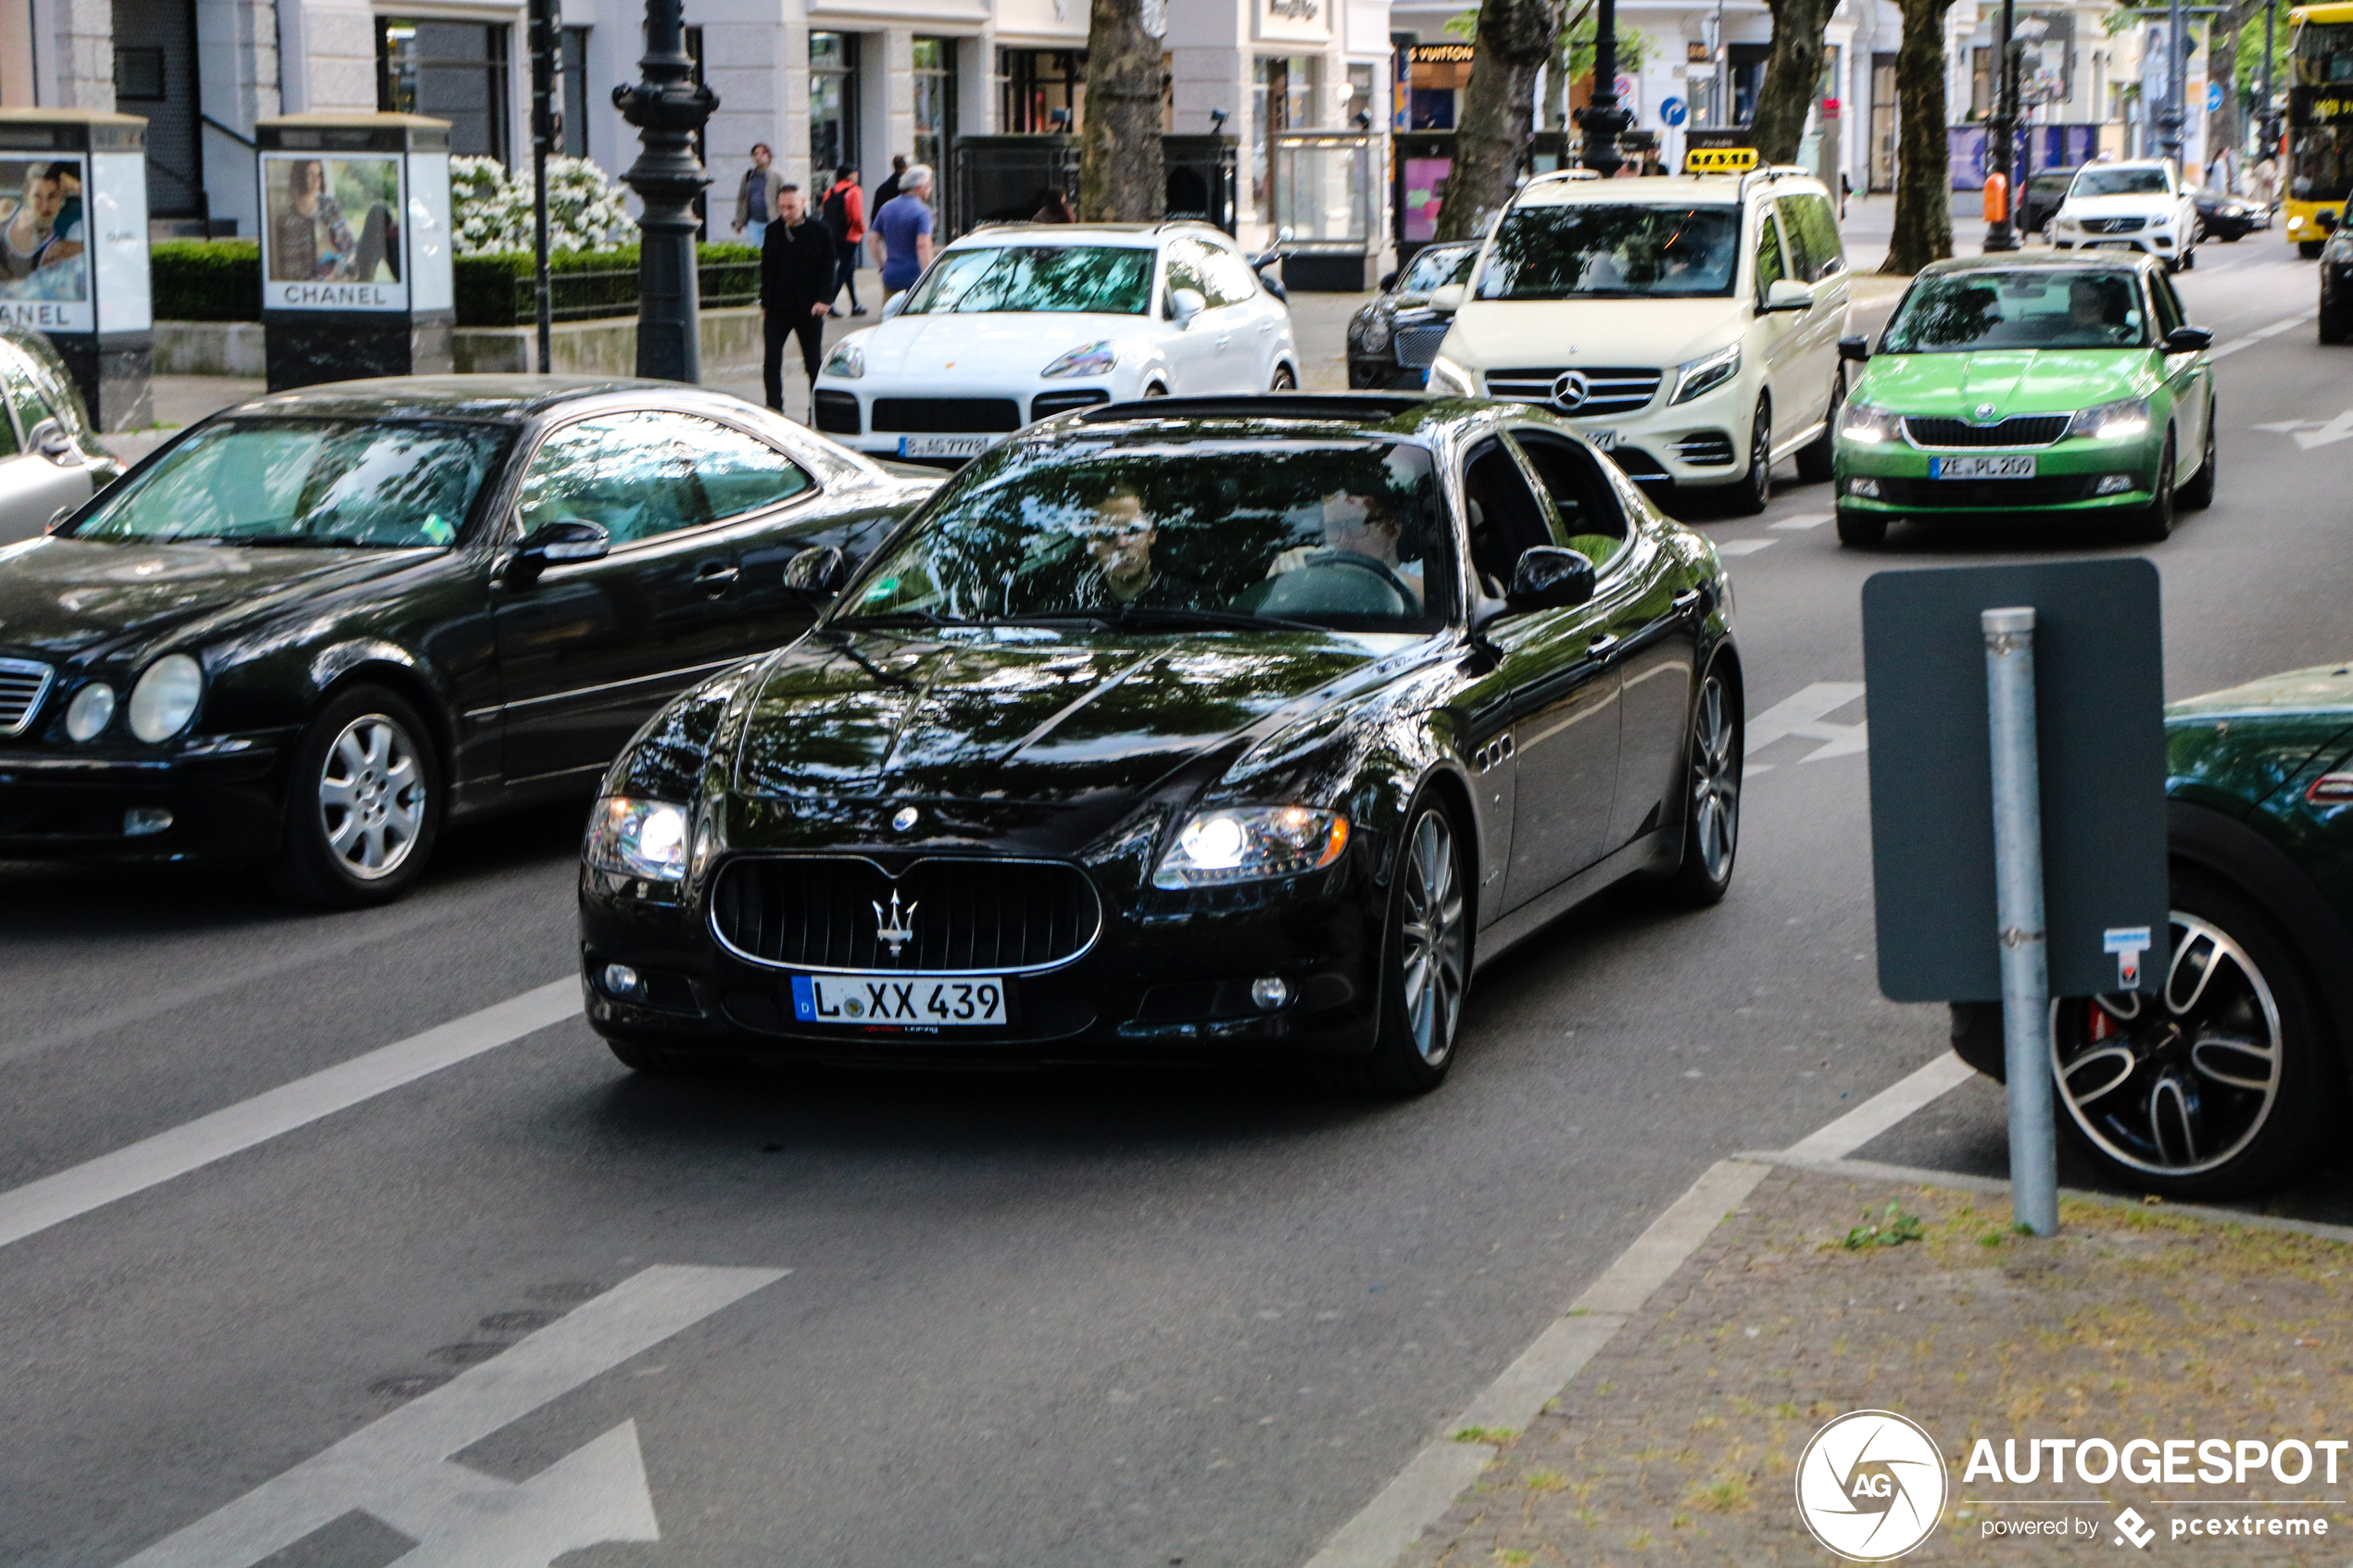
point(1093, 1320)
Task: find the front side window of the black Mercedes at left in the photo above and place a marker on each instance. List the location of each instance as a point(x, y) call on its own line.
point(629, 474)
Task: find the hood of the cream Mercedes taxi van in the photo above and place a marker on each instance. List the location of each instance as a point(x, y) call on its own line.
point(1542, 333)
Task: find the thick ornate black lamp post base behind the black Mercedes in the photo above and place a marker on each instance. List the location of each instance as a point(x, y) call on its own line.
point(667, 109)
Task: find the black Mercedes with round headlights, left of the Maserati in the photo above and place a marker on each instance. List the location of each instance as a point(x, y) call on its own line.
point(321, 626)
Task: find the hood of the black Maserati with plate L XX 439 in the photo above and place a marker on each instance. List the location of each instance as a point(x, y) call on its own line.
point(1025, 716)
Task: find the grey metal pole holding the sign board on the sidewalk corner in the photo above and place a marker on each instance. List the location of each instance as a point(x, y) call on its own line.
point(2018, 887)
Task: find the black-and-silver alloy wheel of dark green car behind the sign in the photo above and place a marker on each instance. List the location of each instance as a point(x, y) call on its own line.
point(2180, 1083)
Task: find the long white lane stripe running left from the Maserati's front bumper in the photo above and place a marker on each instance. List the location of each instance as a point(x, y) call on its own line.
point(192, 1146)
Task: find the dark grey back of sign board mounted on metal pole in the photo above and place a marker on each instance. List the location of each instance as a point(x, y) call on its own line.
point(2100, 732)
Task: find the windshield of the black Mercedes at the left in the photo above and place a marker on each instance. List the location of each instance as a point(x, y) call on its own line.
point(305, 483)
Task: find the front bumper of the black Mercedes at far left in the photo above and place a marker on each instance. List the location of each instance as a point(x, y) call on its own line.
point(222, 796)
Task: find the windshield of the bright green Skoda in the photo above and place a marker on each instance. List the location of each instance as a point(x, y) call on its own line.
point(2029, 309)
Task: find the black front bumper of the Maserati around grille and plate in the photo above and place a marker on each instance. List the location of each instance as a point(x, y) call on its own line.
point(1168, 979)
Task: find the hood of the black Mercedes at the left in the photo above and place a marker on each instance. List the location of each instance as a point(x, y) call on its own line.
point(65, 598)
